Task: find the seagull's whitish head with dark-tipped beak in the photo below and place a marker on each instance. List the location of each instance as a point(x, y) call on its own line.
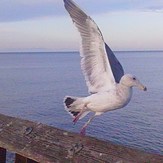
point(132, 81)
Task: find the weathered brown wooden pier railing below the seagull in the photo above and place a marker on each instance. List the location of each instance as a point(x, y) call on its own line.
point(34, 142)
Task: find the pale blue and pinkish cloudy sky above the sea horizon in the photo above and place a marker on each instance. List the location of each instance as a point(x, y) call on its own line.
point(44, 25)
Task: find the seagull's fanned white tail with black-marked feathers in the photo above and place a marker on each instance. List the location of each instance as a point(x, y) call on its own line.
point(74, 105)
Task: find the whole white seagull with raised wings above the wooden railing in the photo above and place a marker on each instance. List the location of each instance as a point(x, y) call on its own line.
point(107, 84)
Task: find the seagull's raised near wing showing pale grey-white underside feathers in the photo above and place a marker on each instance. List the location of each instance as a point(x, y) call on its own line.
point(94, 62)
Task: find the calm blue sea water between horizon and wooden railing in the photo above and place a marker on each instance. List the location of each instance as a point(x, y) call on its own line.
point(33, 85)
